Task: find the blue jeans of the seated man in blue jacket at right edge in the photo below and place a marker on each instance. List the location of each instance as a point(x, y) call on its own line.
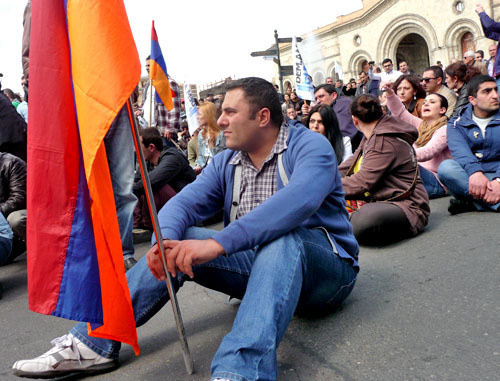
point(454, 177)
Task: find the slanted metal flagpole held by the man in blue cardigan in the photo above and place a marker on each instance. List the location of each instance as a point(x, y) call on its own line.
point(188, 360)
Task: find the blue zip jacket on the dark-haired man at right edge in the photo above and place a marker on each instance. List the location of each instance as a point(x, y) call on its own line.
point(469, 148)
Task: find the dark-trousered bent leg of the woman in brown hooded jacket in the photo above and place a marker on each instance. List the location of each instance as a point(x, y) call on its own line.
point(380, 223)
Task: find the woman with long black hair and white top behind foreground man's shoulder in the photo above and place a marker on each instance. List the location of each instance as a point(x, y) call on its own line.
point(322, 119)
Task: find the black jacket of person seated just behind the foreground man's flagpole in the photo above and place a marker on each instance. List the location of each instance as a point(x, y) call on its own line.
point(173, 169)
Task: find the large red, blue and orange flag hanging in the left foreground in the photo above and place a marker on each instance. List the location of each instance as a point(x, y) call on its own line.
point(83, 67)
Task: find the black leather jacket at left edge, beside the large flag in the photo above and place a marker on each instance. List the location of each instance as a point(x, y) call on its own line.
point(12, 183)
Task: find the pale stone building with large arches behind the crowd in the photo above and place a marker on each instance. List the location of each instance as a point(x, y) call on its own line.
point(421, 32)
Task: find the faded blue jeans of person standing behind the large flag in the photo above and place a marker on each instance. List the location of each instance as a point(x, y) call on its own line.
point(120, 152)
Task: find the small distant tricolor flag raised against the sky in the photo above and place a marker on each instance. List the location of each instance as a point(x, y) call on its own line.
point(158, 73)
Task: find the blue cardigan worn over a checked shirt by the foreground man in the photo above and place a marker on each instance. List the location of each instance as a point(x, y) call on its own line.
point(313, 198)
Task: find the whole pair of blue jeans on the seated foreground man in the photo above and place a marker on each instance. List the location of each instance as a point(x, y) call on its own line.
point(298, 271)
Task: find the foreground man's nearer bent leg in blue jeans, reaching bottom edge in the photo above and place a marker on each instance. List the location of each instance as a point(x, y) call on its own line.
point(300, 265)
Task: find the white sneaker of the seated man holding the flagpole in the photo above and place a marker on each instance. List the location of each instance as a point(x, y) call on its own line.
point(69, 355)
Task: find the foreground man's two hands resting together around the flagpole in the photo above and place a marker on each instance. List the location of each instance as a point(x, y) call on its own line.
point(182, 255)
